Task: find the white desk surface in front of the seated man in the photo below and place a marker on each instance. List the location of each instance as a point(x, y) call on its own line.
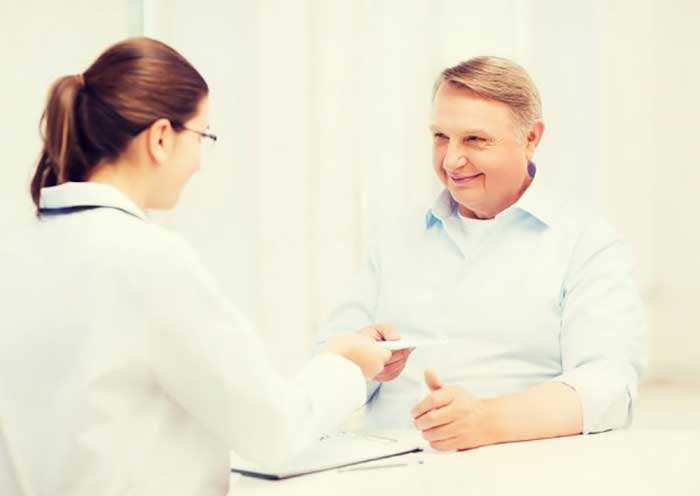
point(634, 462)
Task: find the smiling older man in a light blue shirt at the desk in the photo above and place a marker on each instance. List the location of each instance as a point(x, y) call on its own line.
point(542, 328)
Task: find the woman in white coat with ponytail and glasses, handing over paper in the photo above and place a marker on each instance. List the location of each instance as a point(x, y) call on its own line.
point(122, 368)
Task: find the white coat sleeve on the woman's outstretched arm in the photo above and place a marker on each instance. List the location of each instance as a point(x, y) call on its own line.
point(207, 358)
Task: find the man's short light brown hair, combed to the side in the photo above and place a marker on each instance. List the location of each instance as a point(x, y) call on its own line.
point(498, 79)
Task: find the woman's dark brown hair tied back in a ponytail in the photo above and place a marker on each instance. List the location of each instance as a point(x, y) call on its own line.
point(95, 115)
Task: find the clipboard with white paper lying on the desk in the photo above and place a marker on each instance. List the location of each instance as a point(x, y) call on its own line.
point(328, 453)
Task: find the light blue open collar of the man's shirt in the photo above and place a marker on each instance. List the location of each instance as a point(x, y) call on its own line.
point(536, 201)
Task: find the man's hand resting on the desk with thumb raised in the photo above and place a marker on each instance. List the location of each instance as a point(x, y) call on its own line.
point(450, 417)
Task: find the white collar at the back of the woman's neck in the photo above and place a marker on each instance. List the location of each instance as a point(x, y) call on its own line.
point(87, 194)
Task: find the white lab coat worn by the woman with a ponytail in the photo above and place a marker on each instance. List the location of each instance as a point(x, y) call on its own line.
point(123, 370)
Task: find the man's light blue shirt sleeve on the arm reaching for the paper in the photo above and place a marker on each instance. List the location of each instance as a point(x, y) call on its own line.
point(356, 308)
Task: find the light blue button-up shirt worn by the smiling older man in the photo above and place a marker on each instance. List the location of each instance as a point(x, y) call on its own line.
point(543, 292)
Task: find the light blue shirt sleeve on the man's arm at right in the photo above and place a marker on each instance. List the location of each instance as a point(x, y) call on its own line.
point(604, 330)
